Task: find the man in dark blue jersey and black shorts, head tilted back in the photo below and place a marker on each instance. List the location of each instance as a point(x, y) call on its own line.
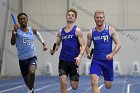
point(73, 47)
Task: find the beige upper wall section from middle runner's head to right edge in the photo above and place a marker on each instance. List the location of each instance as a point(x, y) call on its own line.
point(120, 13)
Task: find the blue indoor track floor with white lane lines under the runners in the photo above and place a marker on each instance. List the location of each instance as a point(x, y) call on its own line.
point(50, 84)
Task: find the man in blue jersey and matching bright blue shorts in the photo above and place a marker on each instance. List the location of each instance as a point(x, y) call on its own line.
point(102, 58)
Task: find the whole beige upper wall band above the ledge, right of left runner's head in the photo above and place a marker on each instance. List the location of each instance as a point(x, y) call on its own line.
point(50, 14)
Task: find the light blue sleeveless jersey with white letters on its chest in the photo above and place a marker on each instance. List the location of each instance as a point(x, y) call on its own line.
point(25, 44)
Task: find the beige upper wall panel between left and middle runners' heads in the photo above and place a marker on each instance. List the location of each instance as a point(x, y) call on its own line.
point(46, 14)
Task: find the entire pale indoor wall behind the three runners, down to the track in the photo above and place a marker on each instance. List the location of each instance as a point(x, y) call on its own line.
point(48, 16)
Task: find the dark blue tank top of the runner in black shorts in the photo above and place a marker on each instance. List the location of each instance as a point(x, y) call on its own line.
point(70, 45)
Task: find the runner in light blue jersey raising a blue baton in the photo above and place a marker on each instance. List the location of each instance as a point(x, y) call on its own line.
point(23, 37)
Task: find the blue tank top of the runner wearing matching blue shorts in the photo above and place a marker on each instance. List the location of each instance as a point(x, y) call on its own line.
point(102, 43)
